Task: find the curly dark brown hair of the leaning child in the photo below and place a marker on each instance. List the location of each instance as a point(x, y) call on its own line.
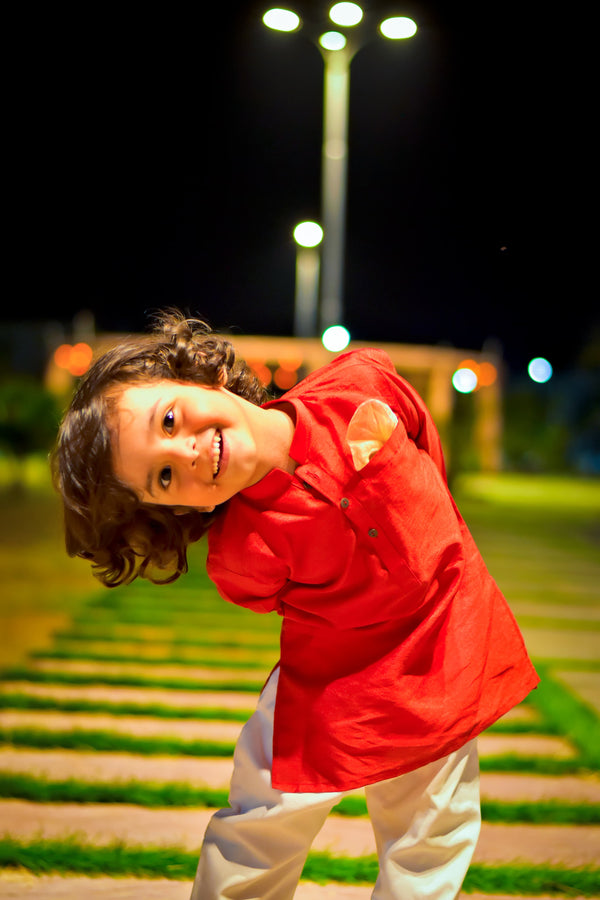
point(104, 520)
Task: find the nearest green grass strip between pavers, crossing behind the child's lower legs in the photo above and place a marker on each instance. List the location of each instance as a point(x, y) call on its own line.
point(69, 857)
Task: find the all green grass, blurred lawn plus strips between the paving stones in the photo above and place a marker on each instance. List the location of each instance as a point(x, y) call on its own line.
point(540, 539)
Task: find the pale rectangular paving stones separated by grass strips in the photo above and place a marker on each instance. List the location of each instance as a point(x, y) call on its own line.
point(570, 845)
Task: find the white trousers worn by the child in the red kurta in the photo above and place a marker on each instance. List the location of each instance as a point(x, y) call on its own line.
point(426, 825)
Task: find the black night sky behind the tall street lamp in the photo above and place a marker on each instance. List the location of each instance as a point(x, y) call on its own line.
point(163, 158)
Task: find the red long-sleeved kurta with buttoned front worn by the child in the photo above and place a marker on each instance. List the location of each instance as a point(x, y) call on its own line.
point(397, 646)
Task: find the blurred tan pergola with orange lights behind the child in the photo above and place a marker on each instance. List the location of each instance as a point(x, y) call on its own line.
point(428, 368)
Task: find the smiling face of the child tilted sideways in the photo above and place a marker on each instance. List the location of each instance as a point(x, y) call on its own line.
point(180, 444)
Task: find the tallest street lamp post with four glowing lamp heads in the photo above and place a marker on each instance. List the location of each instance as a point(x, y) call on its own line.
point(337, 48)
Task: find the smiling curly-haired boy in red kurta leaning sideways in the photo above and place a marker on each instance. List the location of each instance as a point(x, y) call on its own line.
point(330, 506)
